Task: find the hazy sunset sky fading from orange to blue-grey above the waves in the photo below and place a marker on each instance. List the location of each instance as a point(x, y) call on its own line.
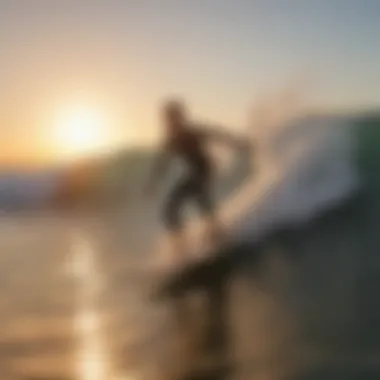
point(115, 60)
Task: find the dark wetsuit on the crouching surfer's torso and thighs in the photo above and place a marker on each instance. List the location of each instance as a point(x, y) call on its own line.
point(189, 146)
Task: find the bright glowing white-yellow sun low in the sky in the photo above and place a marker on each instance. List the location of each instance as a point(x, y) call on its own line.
point(80, 131)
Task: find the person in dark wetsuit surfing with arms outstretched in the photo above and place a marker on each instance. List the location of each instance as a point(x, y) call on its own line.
point(188, 141)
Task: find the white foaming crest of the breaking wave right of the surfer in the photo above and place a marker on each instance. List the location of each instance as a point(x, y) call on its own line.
point(307, 169)
